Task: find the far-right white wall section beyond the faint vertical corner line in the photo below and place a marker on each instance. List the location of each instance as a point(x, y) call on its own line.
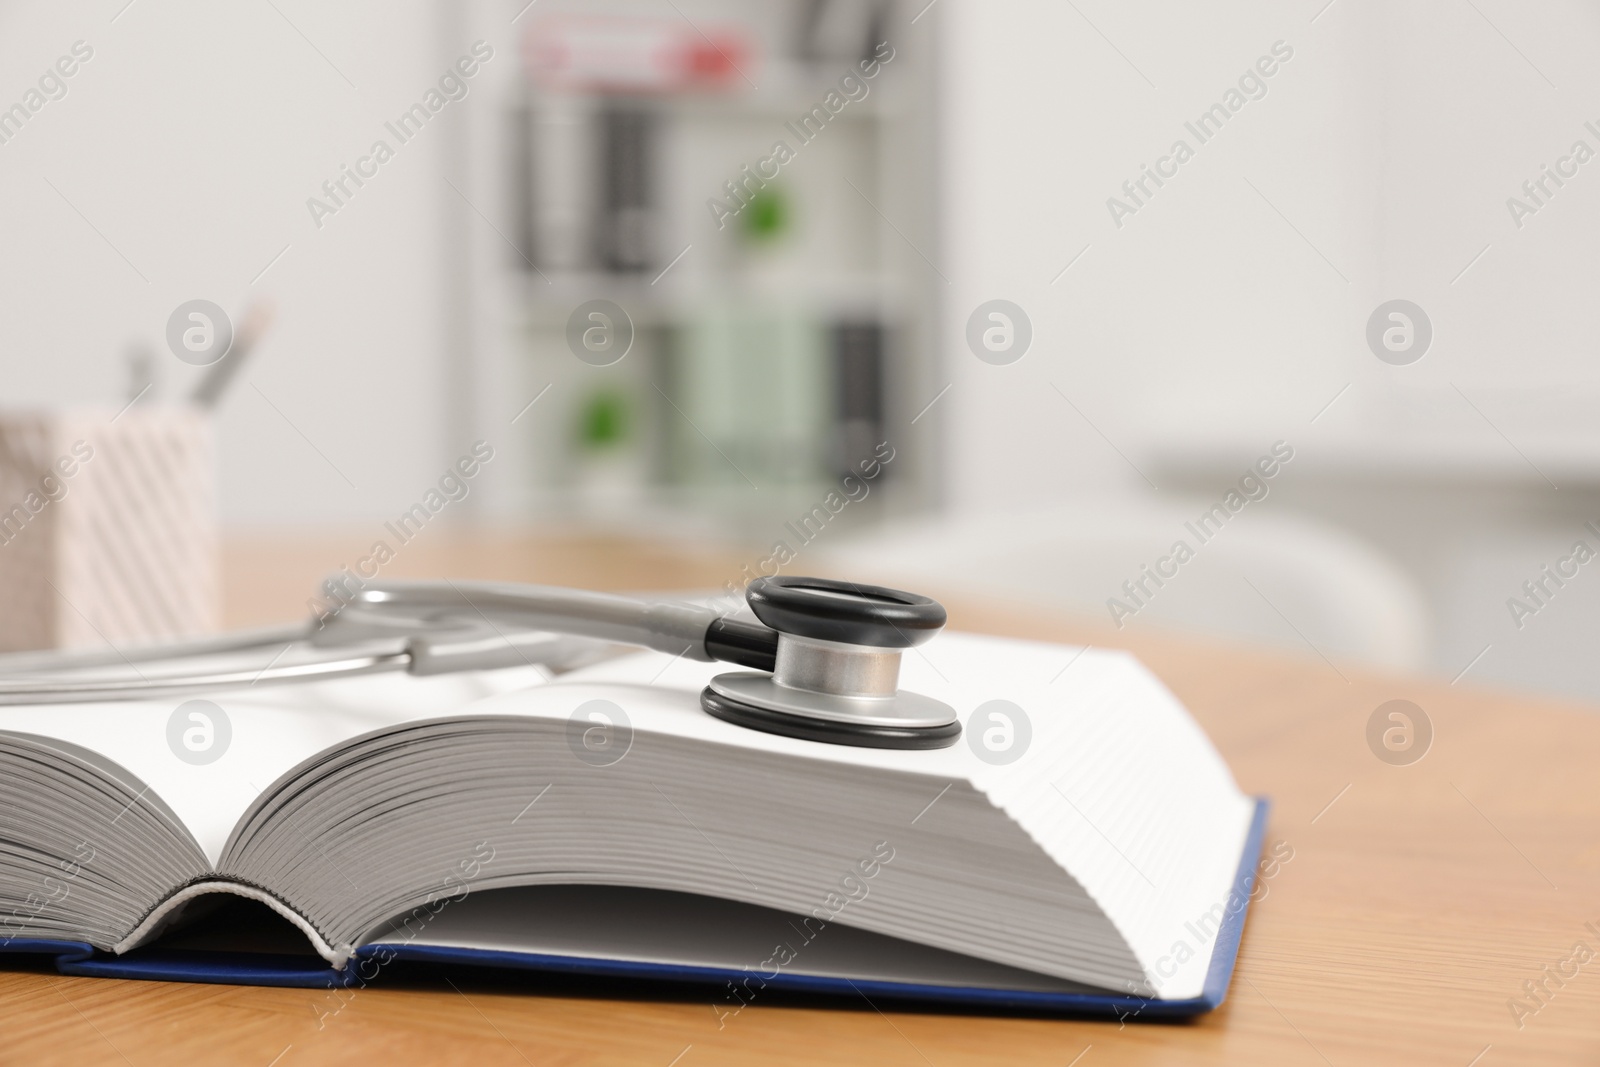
point(1470, 118)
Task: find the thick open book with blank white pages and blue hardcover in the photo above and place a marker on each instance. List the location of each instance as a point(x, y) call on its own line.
point(1084, 847)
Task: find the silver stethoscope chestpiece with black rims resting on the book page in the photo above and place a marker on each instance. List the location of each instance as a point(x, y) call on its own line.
point(838, 668)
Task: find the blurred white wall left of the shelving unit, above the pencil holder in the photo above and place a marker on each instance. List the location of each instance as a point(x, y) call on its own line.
point(191, 143)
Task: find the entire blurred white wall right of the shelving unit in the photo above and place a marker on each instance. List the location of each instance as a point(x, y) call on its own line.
point(1386, 148)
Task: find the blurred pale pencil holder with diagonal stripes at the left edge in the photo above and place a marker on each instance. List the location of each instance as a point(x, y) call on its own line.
point(108, 527)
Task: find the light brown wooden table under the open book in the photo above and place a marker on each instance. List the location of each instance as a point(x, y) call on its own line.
point(1417, 905)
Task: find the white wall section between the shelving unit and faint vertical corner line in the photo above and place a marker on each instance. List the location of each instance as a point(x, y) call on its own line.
point(1202, 313)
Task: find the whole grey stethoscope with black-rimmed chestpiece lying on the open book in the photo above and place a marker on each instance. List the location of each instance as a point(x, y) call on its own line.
point(823, 668)
